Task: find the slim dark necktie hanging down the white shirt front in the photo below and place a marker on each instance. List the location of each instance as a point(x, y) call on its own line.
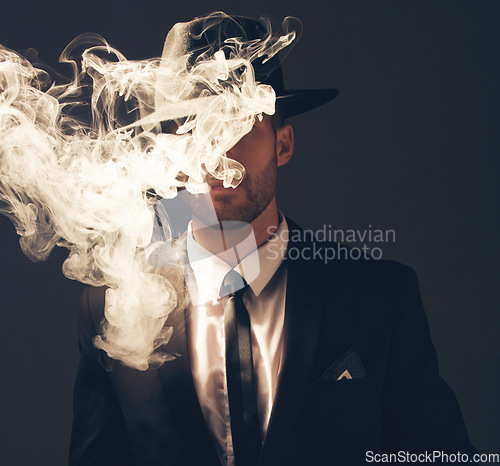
point(245, 426)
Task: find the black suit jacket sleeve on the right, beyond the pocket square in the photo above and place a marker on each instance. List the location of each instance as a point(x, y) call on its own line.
point(421, 412)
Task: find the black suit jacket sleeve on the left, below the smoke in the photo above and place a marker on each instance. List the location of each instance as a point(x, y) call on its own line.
point(99, 435)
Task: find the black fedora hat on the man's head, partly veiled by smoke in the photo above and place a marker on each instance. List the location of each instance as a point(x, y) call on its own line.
point(203, 37)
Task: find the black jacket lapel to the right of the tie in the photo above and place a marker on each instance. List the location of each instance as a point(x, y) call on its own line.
point(303, 310)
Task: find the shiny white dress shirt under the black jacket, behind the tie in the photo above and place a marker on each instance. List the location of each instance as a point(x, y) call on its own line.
point(265, 302)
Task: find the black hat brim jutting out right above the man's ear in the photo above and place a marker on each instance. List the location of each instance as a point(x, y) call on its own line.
point(294, 102)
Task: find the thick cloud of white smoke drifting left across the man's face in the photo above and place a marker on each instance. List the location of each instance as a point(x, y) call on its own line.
point(86, 186)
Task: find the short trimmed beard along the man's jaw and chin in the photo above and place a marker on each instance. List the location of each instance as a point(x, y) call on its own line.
point(259, 191)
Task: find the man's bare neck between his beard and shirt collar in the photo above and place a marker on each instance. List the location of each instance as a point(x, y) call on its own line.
point(228, 234)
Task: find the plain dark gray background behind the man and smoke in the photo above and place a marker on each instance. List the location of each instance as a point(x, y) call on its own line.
point(410, 144)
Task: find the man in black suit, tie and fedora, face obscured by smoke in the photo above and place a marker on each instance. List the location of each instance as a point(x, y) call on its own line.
point(280, 360)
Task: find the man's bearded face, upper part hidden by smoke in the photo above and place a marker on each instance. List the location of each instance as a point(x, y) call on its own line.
point(256, 151)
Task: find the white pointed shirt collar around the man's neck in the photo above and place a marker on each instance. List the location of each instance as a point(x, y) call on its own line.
point(257, 266)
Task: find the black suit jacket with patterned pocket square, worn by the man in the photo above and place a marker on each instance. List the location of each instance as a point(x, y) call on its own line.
point(370, 308)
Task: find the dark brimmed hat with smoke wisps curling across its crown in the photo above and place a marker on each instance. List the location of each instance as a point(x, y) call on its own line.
point(251, 40)
